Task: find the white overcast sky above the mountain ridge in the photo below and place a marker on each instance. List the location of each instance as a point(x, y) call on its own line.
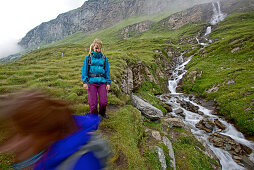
point(17, 17)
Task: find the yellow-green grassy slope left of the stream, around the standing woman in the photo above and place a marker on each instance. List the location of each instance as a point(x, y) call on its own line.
point(61, 77)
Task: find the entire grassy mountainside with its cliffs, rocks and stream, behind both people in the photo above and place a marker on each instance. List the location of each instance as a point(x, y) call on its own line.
point(182, 90)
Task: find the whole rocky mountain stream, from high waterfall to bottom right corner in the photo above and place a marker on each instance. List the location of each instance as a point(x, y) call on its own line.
point(202, 122)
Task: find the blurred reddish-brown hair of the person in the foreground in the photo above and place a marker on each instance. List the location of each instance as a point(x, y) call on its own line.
point(32, 113)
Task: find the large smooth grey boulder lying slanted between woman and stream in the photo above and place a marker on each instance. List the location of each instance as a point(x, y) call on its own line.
point(148, 110)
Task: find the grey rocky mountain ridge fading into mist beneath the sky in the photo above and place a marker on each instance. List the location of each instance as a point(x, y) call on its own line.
point(95, 15)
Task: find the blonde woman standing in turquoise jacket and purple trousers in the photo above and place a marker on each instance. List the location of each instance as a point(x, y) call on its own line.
point(96, 78)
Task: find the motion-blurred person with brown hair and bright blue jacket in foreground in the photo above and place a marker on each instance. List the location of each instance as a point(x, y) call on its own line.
point(43, 134)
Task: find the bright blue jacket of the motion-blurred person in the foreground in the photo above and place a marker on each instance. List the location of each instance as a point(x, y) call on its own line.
point(64, 148)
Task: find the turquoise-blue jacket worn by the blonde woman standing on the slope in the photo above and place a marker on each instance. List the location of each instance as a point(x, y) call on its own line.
point(96, 67)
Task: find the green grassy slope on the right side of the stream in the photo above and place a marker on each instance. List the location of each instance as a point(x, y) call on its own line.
point(219, 65)
